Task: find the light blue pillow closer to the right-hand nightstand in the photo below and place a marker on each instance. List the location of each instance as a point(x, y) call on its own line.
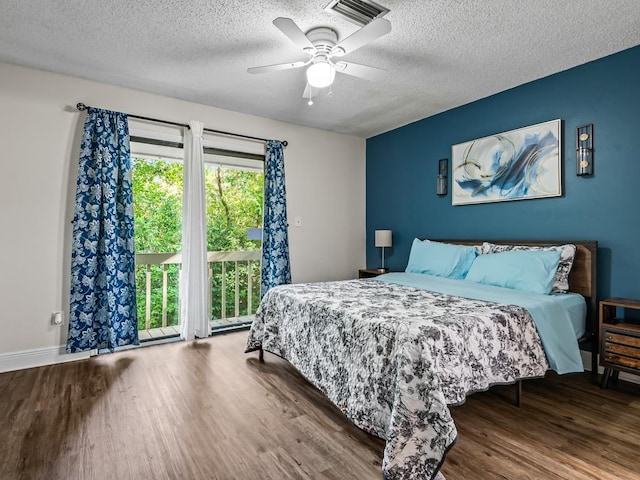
point(530, 271)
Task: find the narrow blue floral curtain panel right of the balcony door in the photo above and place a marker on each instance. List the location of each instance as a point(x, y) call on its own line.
point(276, 268)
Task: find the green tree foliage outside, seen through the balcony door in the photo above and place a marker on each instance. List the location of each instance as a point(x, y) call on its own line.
point(234, 203)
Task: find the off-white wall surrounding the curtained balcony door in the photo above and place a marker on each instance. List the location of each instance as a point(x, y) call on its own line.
point(39, 143)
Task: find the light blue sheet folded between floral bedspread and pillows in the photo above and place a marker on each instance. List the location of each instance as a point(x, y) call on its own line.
point(560, 318)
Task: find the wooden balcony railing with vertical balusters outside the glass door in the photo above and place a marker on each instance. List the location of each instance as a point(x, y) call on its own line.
point(233, 290)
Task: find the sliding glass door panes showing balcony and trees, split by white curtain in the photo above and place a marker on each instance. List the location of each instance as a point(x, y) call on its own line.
point(234, 193)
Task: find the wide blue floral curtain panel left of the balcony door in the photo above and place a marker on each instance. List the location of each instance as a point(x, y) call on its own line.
point(102, 310)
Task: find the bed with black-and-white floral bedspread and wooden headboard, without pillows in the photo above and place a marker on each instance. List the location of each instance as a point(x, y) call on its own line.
point(394, 352)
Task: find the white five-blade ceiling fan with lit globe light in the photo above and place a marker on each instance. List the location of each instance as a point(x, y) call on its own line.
point(324, 51)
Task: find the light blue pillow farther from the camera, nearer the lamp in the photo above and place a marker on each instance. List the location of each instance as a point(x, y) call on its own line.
point(441, 259)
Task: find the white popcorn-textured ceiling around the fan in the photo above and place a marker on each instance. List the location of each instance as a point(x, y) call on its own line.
point(440, 53)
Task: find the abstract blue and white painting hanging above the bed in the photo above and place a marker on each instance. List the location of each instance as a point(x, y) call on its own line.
point(515, 165)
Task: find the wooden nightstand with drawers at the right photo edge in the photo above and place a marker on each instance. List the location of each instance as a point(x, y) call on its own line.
point(619, 339)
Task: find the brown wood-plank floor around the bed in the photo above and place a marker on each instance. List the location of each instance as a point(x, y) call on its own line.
point(205, 410)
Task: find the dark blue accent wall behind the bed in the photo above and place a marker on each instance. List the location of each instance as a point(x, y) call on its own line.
point(402, 166)
